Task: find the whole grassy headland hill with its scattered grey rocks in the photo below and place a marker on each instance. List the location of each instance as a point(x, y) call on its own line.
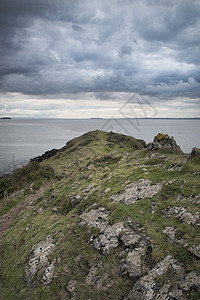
point(101, 218)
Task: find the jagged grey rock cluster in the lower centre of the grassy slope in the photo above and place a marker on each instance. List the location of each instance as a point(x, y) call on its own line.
point(135, 247)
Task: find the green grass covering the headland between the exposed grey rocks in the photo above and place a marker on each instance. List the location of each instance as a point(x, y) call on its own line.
point(105, 161)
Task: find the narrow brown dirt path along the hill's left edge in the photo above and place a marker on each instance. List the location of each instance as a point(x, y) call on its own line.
point(7, 219)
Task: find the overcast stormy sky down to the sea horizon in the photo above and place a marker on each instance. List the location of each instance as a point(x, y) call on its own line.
point(92, 58)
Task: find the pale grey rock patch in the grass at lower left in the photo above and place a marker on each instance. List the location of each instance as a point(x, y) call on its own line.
point(39, 262)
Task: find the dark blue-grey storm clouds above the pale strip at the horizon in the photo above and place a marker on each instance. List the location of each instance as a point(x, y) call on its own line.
point(52, 47)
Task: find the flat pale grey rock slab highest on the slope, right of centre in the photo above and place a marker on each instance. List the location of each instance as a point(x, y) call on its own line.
point(137, 190)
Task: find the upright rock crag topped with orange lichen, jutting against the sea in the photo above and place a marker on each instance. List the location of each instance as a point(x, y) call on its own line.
point(164, 141)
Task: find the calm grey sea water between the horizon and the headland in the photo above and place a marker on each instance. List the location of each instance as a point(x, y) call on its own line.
point(22, 139)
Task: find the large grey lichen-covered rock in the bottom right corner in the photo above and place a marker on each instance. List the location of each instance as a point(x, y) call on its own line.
point(154, 285)
